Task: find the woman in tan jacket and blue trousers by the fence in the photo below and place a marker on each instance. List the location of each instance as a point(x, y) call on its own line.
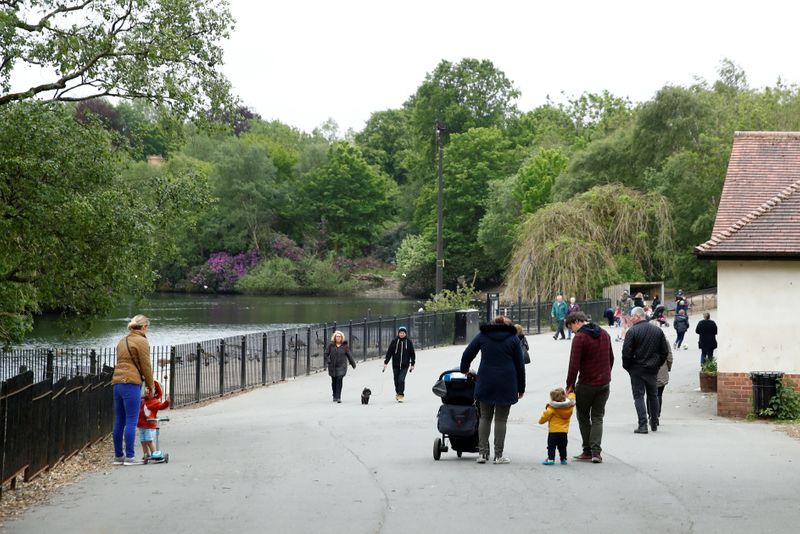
point(133, 368)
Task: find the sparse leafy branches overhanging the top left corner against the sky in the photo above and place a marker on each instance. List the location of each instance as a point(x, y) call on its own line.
point(165, 51)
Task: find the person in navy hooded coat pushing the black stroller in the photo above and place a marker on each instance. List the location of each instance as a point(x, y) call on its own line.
point(499, 384)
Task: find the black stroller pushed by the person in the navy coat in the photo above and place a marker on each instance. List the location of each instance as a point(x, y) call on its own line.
point(457, 419)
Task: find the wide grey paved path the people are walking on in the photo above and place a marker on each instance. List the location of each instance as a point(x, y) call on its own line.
point(285, 459)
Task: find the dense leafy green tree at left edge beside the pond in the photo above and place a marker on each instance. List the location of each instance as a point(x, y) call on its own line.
point(74, 236)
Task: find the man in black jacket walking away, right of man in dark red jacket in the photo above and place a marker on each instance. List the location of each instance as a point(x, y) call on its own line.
point(644, 351)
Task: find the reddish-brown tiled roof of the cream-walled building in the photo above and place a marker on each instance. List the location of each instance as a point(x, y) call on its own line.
point(759, 211)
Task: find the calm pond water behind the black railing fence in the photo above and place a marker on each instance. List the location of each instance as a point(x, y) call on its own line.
point(188, 318)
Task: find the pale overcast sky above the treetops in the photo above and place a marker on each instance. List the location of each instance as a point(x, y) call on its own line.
point(303, 61)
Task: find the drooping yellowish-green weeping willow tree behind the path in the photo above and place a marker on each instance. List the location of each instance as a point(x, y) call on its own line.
point(601, 237)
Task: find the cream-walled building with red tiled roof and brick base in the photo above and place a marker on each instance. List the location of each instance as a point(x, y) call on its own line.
point(756, 242)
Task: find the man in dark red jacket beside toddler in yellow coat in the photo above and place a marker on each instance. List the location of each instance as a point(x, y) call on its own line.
point(590, 361)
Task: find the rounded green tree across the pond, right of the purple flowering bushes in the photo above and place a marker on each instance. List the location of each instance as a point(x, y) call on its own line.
point(349, 198)
